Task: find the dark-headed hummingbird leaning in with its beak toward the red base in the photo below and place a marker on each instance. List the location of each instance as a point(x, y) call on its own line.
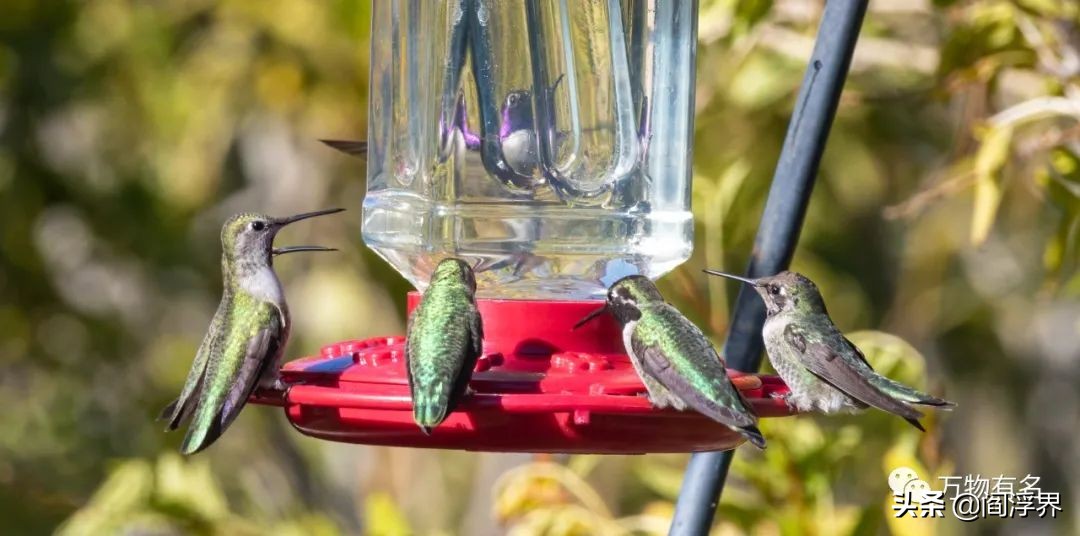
point(678, 365)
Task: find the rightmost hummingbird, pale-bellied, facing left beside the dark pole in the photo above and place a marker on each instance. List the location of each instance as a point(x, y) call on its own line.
point(822, 368)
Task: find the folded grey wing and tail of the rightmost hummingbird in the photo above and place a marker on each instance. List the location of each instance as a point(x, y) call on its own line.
point(846, 371)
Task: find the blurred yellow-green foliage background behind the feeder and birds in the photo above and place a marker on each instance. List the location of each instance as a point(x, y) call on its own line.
point(948, 215)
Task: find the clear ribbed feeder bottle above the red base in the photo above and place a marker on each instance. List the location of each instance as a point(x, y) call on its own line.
point(546, 142)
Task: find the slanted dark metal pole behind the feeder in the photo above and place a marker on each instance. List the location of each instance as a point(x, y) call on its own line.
point(777, 235)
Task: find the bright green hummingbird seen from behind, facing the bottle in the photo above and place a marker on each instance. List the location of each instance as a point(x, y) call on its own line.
point(443, 342)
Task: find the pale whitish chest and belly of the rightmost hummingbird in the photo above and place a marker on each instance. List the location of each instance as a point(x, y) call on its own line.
point(808, 392)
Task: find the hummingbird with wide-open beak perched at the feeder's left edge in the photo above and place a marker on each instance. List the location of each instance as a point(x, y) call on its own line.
point(248, 337)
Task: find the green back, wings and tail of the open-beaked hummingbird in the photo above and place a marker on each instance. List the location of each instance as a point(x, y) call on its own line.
point(254, 339)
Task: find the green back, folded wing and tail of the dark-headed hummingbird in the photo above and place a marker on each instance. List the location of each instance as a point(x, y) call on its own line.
point(682, 360)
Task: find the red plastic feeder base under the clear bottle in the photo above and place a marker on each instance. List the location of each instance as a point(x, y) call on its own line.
point(539, 387)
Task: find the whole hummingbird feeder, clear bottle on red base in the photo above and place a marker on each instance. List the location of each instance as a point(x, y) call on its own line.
point(549, 145)
